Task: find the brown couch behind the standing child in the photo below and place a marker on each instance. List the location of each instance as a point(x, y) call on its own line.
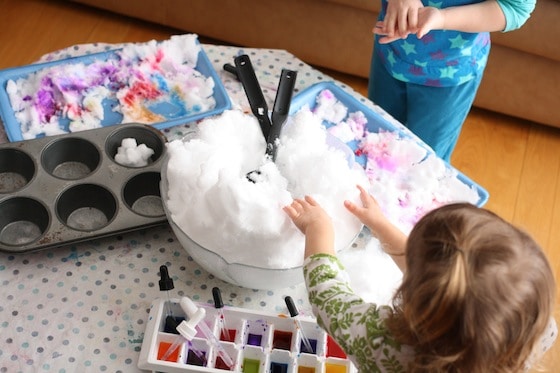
point(522, 78)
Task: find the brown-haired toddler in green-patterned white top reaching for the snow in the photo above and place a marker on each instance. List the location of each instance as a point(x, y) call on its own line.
point(477, 293)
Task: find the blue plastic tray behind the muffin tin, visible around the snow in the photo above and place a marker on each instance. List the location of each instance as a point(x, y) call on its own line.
point(168, 110)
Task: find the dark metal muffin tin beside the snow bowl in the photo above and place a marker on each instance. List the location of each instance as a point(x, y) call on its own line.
point(62, 189)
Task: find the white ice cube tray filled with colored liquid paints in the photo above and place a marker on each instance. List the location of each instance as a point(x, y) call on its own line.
point(256, 342)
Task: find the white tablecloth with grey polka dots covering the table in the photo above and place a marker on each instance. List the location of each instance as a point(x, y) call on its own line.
point(83, 307)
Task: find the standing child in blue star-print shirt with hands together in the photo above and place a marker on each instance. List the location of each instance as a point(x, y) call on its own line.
point(428, 61)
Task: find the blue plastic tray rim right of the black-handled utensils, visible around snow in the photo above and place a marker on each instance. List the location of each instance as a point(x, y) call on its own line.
point(375, 123)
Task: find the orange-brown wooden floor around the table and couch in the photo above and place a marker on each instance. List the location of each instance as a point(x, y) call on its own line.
point(517, 161)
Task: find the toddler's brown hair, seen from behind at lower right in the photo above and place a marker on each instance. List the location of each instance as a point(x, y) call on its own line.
point(477, 293)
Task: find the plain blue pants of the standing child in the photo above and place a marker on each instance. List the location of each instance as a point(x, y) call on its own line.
point(435, 114)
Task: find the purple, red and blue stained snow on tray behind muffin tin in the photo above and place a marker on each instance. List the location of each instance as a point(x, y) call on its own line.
point(144, 83)
